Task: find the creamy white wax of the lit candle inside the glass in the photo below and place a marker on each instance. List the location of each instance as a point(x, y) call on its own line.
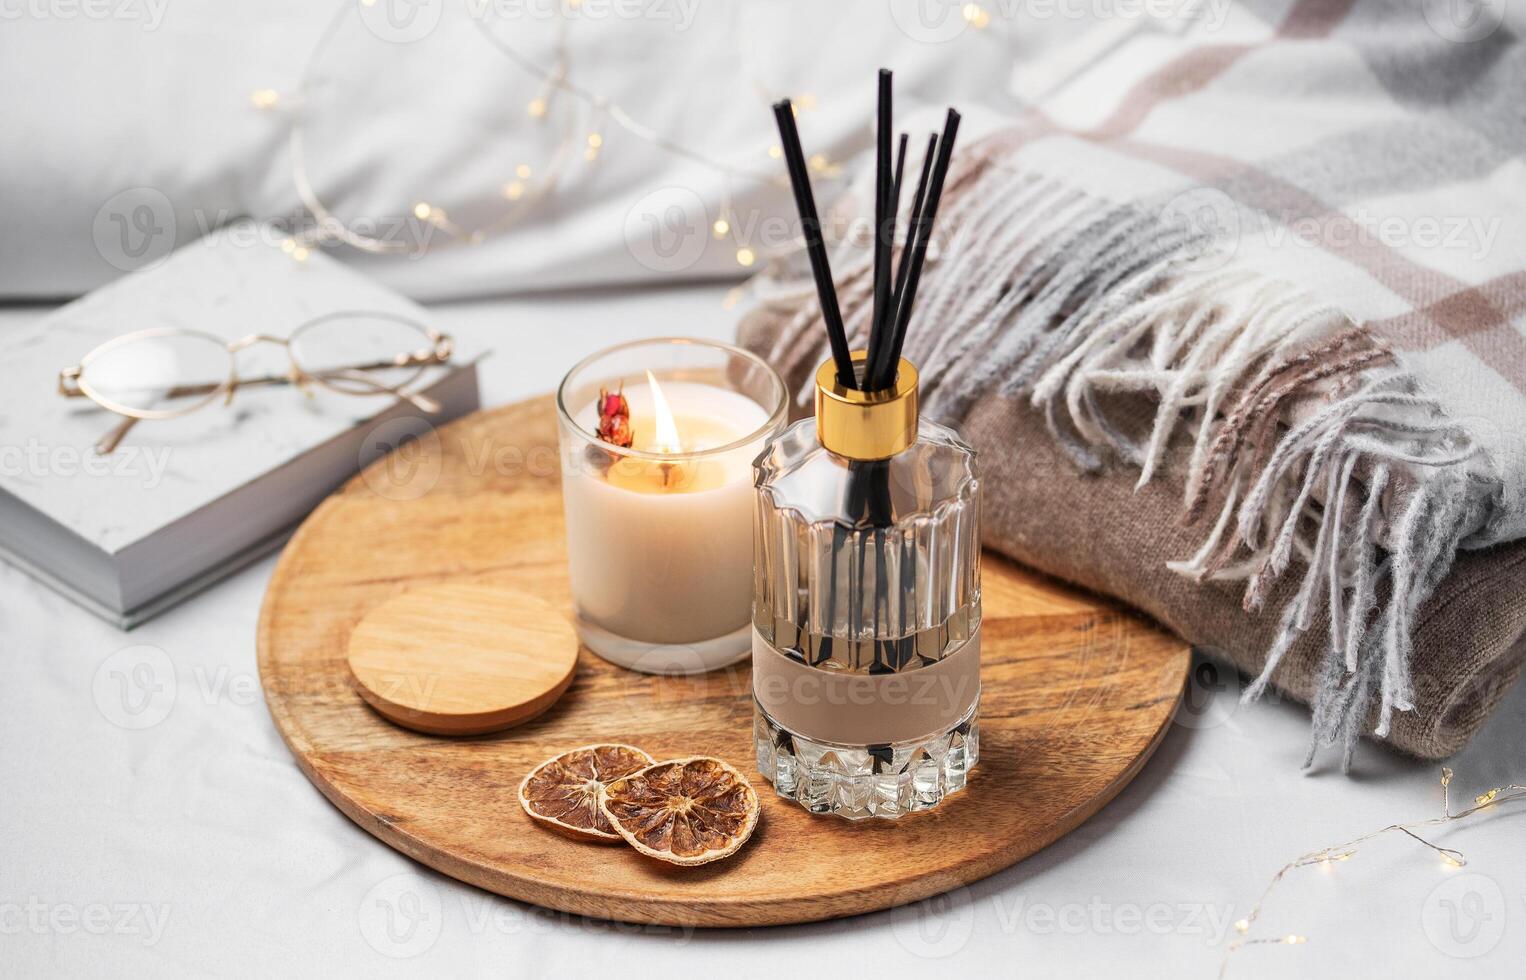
point(663, 555)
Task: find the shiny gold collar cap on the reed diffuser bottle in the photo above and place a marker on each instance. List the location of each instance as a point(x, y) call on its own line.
point(868, 425)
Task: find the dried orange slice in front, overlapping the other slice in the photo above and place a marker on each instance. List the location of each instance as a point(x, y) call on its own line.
point(687, 811)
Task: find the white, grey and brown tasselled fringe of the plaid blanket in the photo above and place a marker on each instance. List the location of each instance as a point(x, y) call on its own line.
point(1299, 434)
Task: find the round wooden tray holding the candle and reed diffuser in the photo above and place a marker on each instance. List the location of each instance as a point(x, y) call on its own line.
point(1075, 697)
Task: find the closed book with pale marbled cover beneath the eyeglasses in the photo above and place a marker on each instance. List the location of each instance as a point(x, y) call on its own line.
point(185, 501)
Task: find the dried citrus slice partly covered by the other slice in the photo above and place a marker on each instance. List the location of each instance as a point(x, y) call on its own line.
point(562, 793)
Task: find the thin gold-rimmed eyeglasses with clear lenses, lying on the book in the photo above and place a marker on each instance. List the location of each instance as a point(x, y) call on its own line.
point(166, 372)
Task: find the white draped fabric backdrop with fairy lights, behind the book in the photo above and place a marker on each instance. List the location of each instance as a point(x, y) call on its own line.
point(105, 115)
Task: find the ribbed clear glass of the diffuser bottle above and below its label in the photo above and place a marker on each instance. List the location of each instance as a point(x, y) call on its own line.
point(868, 569)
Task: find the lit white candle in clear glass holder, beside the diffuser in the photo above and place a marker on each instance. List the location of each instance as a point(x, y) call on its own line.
point(660, 532)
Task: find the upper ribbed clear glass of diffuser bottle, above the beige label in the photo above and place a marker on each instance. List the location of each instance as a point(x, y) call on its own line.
point(868, 567)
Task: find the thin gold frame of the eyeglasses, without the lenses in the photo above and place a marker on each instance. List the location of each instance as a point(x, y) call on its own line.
point(72, 382)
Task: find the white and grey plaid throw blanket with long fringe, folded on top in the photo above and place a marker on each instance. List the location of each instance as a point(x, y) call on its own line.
point(1280, 266)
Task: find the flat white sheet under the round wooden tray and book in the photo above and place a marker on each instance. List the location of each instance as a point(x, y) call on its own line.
point(205, 816)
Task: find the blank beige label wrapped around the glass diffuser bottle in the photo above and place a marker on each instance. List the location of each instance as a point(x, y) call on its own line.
point(860, 709)
